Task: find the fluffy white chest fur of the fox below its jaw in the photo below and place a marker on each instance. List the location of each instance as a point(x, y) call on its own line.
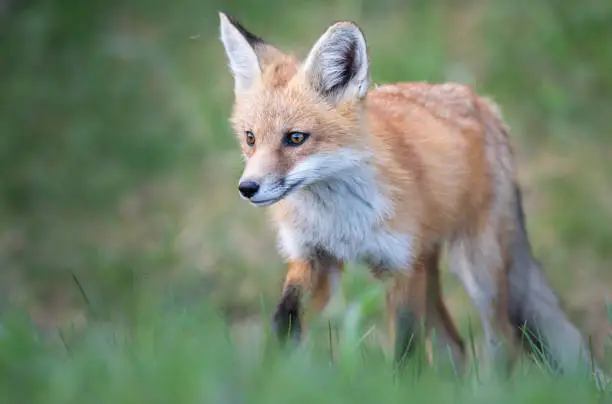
point(344, 216)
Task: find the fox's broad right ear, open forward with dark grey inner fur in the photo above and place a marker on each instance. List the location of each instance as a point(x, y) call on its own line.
point(337, 65)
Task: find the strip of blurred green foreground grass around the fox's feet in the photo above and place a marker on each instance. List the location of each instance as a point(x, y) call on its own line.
point(188, 356)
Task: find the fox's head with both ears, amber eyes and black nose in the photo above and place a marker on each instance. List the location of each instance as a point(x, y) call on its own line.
point(298, 122)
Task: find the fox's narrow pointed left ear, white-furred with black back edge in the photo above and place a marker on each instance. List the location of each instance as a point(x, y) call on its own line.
point(241, 48)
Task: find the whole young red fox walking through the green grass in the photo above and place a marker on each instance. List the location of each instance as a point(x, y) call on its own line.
point(388, 176)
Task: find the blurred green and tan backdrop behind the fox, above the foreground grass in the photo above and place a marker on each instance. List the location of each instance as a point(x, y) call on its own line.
point(118, 168)
